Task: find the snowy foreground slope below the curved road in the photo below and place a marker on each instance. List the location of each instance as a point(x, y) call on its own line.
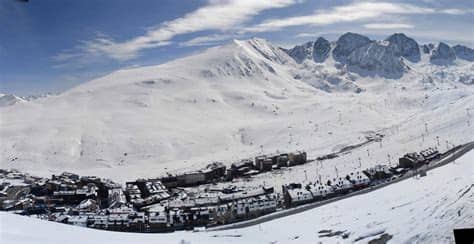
point(417, 210)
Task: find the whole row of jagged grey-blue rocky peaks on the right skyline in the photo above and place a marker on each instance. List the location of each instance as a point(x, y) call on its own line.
point(367, 57)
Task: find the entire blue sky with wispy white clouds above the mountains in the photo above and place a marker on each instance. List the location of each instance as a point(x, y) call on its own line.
point(52, 45)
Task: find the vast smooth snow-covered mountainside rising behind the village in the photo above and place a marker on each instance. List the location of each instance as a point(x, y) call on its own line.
point(232, 102)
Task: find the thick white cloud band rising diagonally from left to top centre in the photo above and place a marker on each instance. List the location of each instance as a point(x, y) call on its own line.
point(219, 15)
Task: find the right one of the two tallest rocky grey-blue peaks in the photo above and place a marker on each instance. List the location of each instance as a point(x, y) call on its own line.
point(404, 46)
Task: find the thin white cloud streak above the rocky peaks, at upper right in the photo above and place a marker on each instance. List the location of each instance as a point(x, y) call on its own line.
point(356, 11)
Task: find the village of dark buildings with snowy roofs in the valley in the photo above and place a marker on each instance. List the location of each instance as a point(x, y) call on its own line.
point(169, 203)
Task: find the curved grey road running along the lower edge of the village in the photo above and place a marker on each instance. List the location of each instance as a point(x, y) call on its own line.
point(283, 213)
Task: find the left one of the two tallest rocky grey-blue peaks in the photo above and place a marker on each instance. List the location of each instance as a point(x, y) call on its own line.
point(348, 43)
